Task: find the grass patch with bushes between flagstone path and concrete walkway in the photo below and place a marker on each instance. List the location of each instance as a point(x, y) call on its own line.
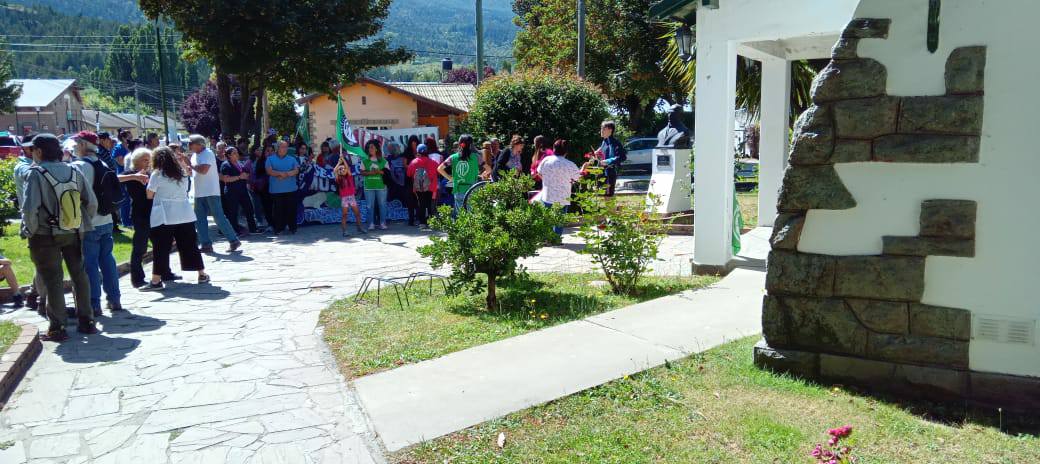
point(367, 339)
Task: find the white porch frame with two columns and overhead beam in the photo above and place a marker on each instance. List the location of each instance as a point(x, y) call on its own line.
point(774, 33)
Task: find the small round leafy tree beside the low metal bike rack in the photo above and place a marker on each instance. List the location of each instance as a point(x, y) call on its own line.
point(501, 227)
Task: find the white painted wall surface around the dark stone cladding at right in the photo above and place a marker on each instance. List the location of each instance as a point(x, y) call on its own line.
point(1001, 280)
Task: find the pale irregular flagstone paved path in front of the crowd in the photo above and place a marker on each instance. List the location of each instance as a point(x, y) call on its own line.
point(235, 372)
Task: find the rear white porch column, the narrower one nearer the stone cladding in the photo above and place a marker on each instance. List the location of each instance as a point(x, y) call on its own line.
point(774, 132)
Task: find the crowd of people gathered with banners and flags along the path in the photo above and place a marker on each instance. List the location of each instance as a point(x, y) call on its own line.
point(75, 196)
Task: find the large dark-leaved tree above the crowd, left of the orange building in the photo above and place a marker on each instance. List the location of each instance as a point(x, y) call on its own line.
point(279, 45)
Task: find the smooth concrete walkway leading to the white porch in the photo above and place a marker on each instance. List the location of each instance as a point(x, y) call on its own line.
point(428, 400)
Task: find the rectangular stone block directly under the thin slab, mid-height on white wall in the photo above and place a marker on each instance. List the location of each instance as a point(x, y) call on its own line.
point(898, 278)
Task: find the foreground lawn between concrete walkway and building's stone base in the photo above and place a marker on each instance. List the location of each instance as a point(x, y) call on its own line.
point(718, 408)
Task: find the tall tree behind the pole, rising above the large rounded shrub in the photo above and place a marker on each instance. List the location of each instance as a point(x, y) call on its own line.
point(621, 57)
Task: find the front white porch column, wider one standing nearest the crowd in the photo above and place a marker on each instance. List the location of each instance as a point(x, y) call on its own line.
point(714, 153)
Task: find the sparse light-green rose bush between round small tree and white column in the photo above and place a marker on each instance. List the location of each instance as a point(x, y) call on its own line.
point(623, 240)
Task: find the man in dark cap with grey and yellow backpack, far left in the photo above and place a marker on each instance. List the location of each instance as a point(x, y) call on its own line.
point(58, 205)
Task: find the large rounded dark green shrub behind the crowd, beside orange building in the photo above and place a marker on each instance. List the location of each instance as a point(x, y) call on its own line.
point(530, 105)
